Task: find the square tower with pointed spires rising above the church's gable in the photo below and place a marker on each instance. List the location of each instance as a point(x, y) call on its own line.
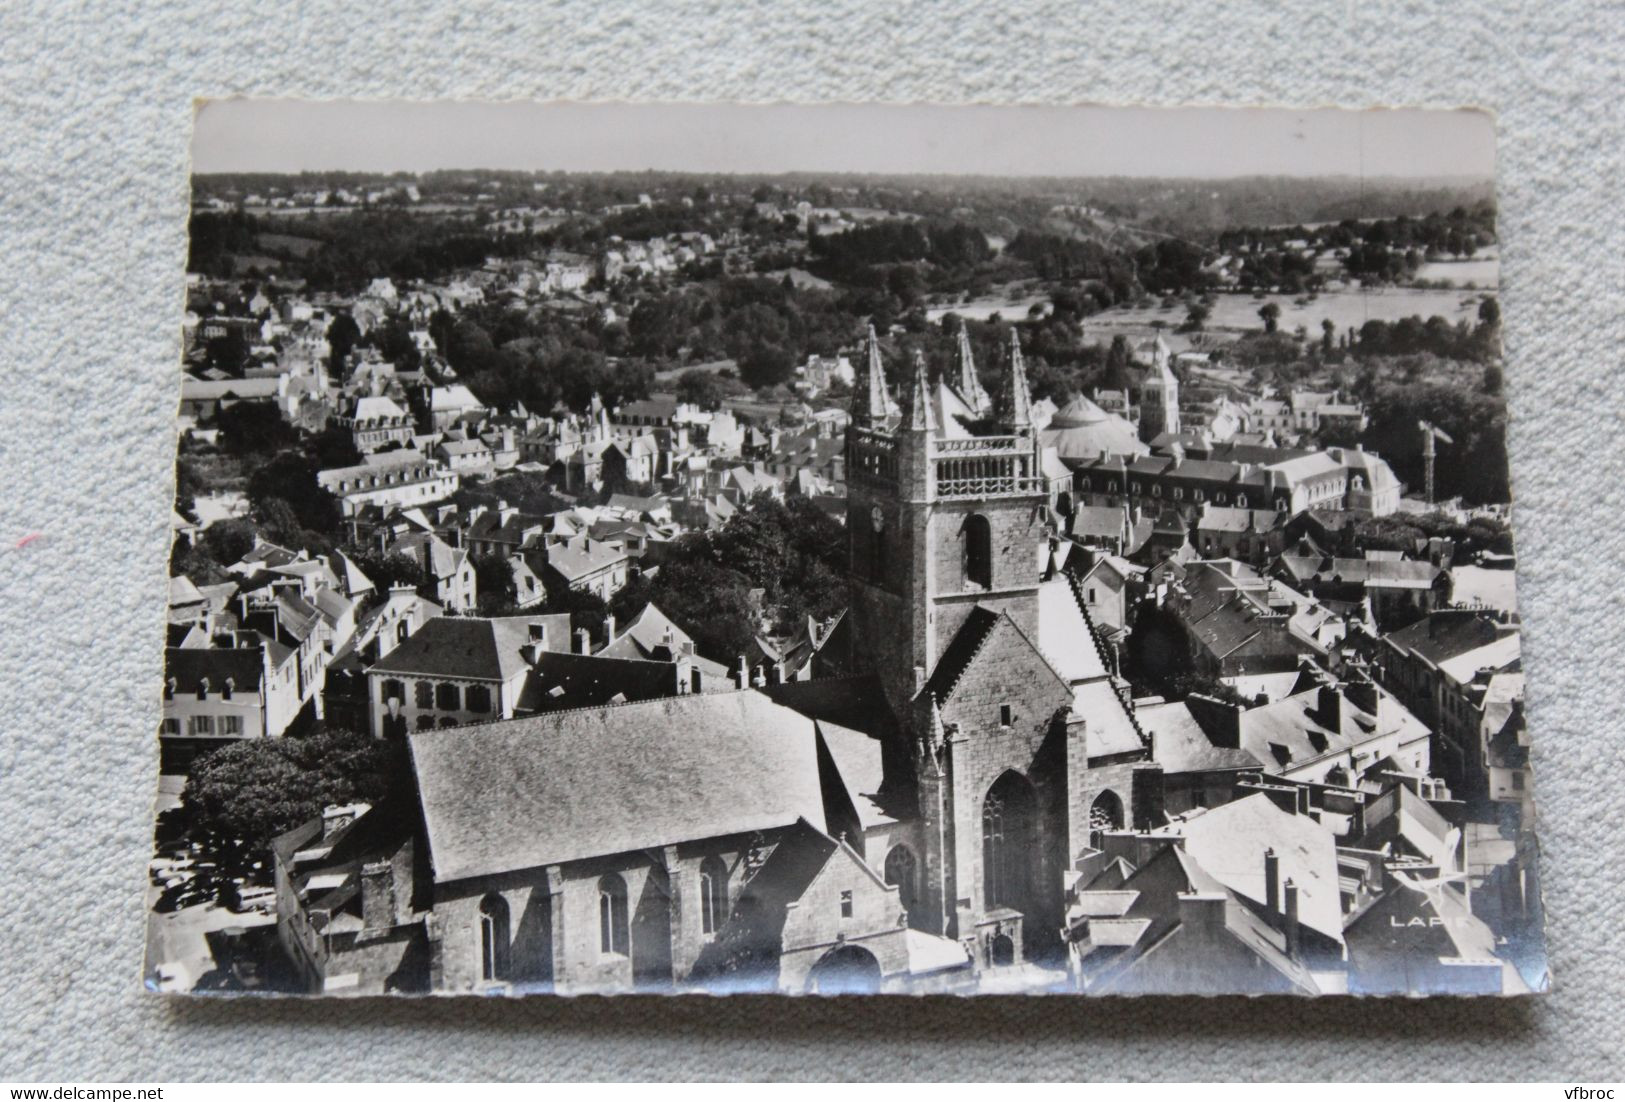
point(937, 524)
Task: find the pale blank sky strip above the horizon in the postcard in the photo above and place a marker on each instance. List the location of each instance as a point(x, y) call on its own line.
point(293, 136)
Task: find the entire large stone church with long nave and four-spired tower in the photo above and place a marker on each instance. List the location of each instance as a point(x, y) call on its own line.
point(911, 820)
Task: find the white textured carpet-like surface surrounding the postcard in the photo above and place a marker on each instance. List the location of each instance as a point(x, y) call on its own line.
point(95, 115)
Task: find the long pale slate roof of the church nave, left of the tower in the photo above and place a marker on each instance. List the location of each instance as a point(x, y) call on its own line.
point(571, 786)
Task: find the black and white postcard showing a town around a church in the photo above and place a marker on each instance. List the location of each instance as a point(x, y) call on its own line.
point(843, 550)
